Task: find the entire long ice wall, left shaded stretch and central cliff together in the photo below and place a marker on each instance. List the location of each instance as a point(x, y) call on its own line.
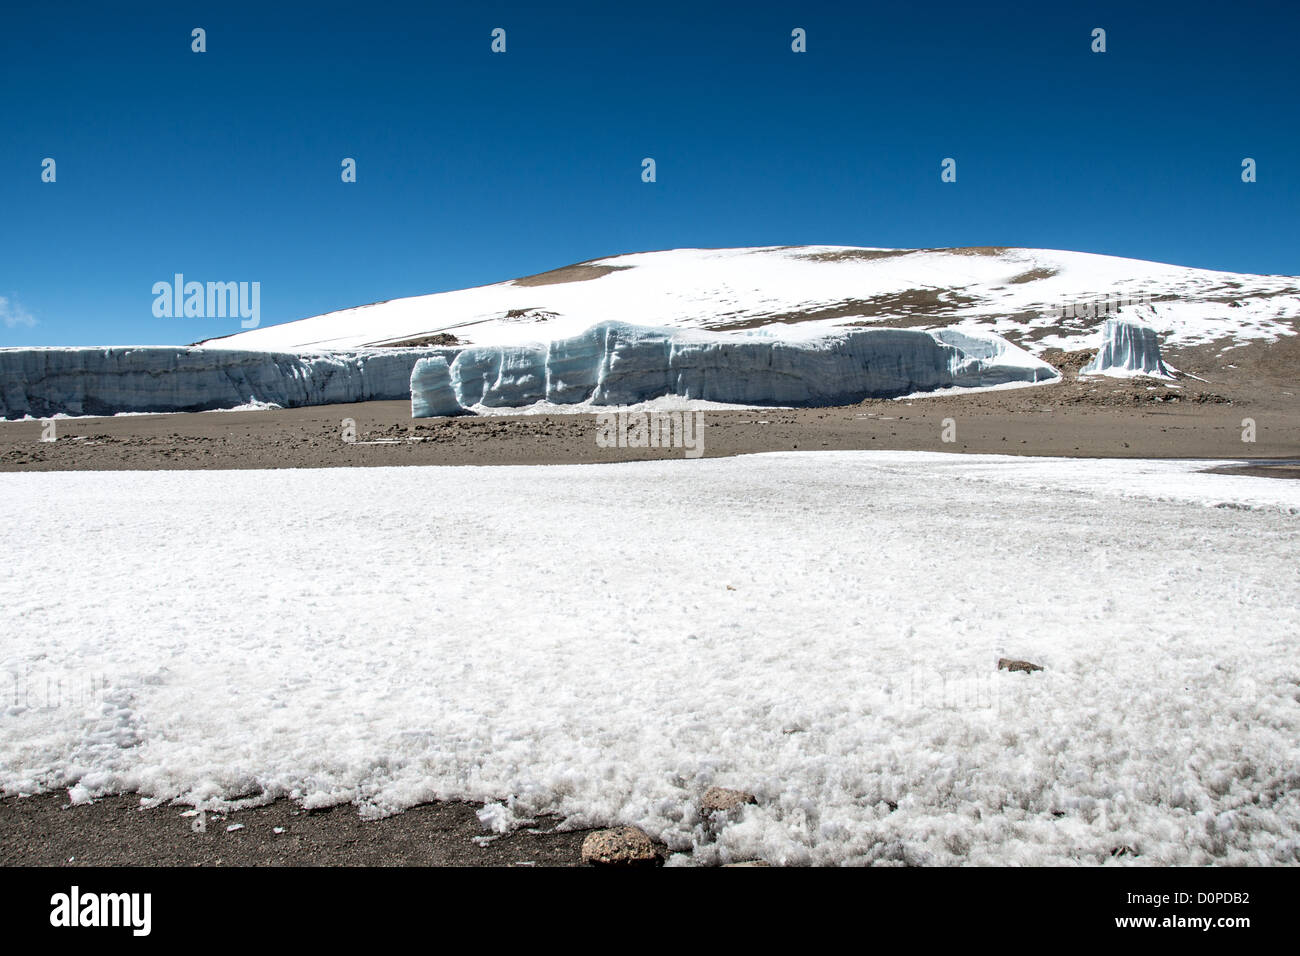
point(610, 364)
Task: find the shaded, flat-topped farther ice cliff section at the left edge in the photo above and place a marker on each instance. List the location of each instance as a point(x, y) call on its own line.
point(106, 382)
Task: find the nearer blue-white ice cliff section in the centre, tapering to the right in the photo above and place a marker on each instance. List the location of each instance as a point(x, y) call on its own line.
point(616, 364)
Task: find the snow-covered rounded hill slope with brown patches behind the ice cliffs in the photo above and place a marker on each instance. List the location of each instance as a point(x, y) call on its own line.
point(1037, 299)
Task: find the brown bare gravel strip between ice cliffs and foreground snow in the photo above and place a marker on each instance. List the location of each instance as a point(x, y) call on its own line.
point(1090, 418)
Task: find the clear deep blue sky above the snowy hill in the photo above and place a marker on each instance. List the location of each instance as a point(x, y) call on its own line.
point(475, 167)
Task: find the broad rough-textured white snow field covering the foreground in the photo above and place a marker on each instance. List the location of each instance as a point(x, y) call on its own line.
point(569, 639)
